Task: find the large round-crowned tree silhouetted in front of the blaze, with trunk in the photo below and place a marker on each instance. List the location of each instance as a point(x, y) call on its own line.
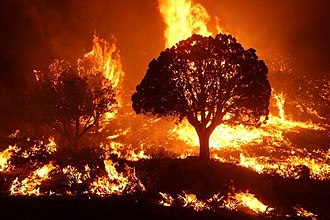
point(209, 81)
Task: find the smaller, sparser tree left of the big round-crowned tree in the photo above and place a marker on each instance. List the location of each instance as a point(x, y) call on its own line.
point(73, 102)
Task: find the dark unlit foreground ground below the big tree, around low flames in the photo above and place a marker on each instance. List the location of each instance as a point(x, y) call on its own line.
point(174, 176)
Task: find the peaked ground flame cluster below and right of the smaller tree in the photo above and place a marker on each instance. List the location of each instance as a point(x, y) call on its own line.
point(115, 182)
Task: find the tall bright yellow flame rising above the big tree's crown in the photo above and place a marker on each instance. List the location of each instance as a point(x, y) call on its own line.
point(183, 18)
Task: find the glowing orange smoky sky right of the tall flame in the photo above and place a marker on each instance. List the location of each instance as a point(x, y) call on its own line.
point(299, 29)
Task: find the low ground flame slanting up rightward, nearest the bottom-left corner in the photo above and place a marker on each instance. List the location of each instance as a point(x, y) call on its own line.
point(31, 184)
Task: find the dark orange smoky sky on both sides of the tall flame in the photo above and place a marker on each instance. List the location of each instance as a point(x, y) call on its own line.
point(34, 32)
